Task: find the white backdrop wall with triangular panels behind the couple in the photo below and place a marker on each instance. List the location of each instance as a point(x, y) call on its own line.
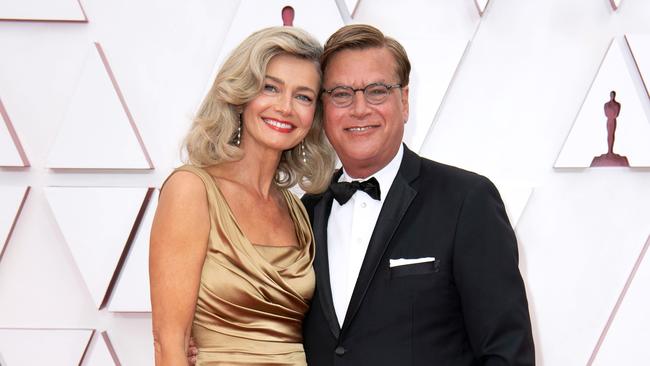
point(500, 94)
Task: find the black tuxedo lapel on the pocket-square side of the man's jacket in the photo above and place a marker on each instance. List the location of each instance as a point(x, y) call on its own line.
point(398, 200)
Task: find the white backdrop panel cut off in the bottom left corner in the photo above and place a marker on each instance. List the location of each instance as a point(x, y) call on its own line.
point(26, 346)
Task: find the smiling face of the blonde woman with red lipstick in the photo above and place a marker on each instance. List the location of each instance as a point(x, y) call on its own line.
point(282, 113)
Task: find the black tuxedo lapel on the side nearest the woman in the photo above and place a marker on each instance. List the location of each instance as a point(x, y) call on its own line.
point(321, 262)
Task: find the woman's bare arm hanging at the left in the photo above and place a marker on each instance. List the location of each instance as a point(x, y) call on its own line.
point(178, 245)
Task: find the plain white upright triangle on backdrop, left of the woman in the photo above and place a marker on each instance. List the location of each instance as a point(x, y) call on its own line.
point(98, 131)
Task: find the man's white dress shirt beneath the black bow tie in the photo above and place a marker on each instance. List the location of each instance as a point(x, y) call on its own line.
point(349, 229)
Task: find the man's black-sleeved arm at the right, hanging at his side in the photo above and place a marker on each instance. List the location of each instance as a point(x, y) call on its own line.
point(485, 268)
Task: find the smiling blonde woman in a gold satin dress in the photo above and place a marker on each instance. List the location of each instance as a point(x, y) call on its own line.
point(231, 248)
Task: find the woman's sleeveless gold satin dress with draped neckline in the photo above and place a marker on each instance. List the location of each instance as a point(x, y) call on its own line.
point(252, 298)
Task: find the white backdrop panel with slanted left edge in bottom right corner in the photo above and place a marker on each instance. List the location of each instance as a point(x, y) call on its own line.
point(626, 340)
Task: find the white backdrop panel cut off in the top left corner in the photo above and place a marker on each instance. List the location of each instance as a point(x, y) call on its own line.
point(43, 10)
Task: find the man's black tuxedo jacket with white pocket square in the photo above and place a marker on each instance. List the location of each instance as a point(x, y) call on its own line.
point(468, 307)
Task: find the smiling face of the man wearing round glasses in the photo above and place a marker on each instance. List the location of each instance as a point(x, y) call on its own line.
point(365, 136)
